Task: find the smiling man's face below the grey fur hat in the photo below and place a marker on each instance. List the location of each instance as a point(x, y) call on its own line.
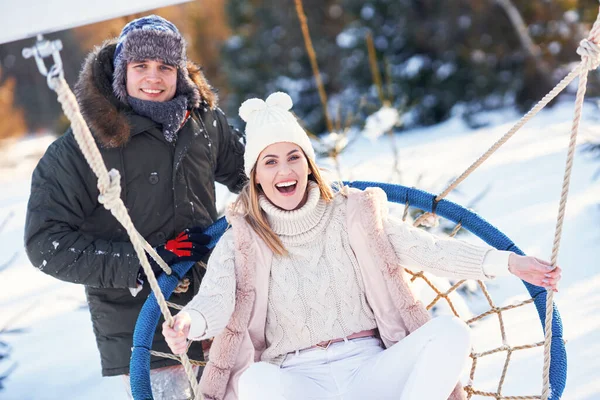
point(151, 80)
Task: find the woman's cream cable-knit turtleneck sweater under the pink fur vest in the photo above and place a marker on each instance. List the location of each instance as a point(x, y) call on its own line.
point(316, 292)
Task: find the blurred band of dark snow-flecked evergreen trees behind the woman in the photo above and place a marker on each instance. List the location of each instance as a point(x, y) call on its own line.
point(434, 56)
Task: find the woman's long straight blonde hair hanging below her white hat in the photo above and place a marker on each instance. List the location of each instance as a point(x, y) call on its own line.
point(248, 205)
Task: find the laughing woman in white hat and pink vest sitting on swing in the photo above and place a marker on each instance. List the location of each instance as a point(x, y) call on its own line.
point(306, 294)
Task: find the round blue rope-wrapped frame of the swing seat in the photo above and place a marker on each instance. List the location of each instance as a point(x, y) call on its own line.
point(150, 313)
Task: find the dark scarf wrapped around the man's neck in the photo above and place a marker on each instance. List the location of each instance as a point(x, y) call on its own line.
point(170, 114)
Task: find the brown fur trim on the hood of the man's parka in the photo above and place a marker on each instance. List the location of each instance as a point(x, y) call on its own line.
point(108, 117)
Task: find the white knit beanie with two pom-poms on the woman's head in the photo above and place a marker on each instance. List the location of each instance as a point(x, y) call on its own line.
point(269, 122)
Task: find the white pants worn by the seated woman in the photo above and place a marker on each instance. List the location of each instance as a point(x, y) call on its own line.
point(425, 365)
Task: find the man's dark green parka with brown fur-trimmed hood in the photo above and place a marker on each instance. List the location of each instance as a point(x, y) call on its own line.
point(166, 188)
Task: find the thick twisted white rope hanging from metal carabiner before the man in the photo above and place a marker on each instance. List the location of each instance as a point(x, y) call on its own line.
point(109, 185)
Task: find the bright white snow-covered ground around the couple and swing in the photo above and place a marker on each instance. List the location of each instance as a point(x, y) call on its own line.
point(47, 325)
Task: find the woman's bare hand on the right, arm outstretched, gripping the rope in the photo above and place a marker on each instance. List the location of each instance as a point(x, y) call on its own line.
point(535, 271)
